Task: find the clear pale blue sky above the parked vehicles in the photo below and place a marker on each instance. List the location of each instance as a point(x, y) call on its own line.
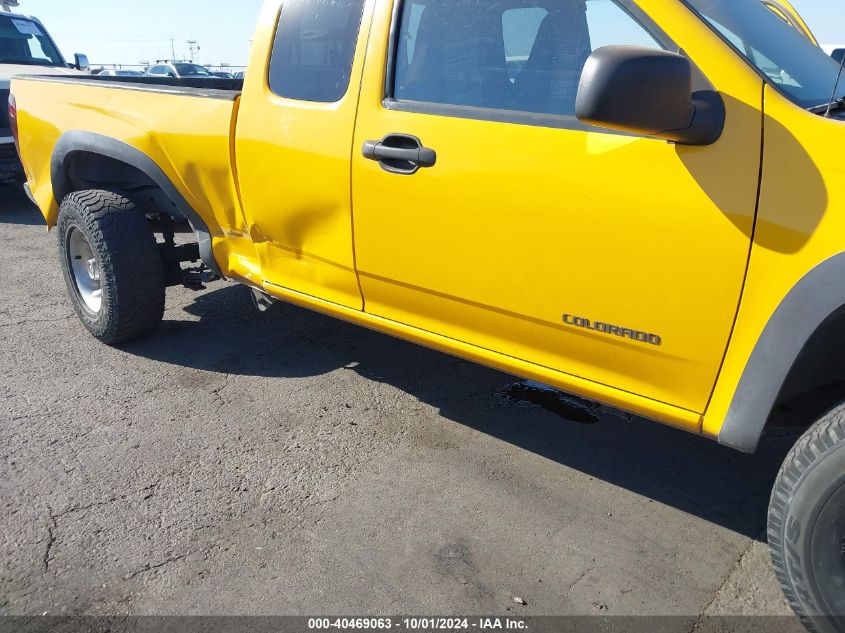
point(126, 32)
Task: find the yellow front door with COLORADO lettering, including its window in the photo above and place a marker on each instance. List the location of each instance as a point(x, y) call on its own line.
point(610, 257)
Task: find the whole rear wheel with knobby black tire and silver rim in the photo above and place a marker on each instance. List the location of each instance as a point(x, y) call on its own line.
point(112, 266)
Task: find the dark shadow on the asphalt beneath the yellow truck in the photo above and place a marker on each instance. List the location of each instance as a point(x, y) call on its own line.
point(689, 473)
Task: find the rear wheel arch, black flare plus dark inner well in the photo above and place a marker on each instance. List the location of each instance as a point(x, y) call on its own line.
point(85, 160)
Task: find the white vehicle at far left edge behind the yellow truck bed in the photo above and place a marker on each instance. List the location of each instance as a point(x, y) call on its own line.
point(25, 47)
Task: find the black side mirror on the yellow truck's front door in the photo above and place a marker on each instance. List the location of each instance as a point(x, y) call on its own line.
point(648, 91)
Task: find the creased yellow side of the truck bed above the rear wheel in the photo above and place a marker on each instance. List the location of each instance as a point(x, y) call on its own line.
point(184, 126)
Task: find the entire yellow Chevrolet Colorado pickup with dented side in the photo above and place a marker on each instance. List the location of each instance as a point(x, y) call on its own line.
point(638, 201)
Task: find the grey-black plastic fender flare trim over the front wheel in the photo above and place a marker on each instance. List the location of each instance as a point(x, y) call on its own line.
point(815, 298)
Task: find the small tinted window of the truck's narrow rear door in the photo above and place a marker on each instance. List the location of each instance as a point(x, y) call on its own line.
point(314, 48)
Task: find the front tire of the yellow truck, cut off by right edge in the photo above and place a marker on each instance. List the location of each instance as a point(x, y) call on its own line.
point(806, 526)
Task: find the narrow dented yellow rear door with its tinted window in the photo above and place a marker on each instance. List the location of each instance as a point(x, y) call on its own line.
point(293, 142)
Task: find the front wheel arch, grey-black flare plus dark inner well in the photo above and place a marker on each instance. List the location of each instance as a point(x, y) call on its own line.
point(796, 347)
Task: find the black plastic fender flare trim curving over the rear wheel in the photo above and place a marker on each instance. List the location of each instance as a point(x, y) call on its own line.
point(79, 141)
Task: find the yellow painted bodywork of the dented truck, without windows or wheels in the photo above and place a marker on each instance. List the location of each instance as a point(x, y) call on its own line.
point(638, 273)
